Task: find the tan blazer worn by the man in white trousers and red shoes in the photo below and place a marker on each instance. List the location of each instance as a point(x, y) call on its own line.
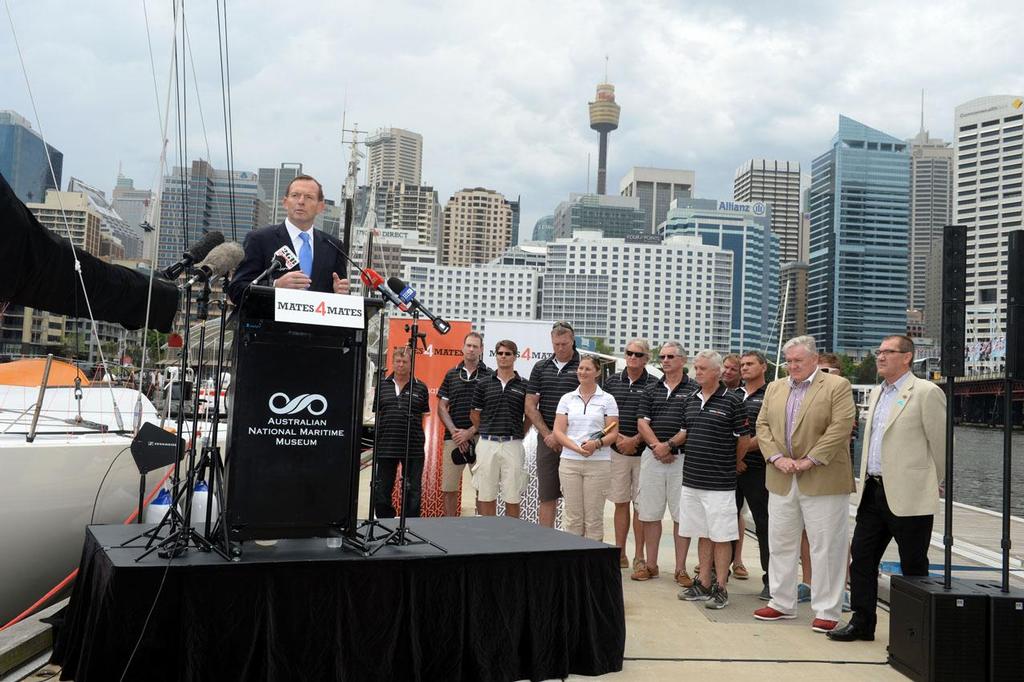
point(823, 431)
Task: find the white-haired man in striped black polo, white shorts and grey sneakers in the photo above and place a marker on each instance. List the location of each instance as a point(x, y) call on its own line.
point(714, 427)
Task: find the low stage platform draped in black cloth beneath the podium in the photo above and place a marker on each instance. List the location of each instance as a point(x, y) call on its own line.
point(509, 602)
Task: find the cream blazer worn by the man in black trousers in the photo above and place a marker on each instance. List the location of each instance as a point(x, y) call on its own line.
point(914, 448)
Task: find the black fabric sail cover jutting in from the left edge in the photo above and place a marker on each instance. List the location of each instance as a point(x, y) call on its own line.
point(38, 271)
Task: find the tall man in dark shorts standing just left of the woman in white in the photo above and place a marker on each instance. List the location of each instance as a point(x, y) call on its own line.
point(550, 380)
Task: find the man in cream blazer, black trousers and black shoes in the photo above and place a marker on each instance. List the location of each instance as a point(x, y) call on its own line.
point(902, 470)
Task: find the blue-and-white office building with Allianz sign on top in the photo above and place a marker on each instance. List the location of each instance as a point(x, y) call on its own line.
point(744, 229)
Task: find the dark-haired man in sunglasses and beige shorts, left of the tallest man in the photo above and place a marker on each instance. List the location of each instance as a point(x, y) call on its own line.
point(499, 415)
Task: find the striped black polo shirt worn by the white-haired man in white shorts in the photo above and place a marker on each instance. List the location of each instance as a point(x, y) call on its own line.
point(711, 440)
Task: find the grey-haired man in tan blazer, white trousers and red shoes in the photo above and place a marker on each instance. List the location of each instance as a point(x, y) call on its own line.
point(804, 435)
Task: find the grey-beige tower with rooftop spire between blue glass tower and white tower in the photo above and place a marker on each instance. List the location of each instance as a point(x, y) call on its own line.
point(931, 208)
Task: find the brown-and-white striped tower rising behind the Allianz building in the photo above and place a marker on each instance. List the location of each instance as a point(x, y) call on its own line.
point(776, 184)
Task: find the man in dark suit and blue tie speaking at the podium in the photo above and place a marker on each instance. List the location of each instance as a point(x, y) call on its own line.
point(320, 262)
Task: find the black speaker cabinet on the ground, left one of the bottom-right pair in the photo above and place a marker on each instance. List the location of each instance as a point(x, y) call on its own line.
point(937, 634)
